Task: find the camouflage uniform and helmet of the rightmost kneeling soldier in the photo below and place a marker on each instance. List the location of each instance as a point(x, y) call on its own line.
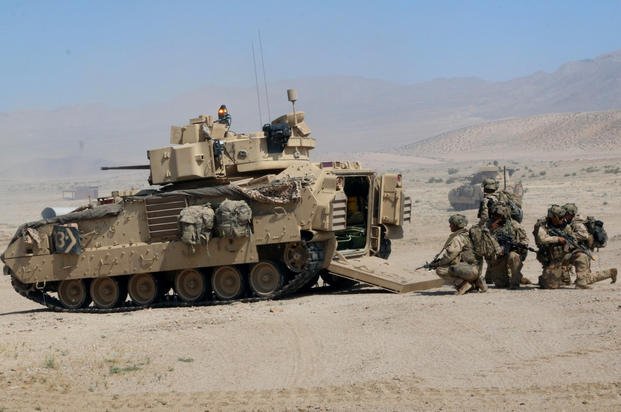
point(579, 259)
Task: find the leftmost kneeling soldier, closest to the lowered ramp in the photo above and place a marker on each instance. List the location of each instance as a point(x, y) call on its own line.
point(456, 263)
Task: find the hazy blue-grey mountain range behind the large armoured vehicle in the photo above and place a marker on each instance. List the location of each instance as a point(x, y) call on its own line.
point(343, 112)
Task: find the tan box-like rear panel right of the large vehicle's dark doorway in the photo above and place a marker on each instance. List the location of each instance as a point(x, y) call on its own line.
point(392, 207)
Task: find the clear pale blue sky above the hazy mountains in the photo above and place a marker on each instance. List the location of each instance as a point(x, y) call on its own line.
point(126, 53)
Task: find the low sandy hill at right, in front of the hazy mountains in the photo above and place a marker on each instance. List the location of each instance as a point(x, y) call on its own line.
point(572, 135)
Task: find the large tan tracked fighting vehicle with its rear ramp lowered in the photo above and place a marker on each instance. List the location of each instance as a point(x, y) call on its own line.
point(235, 216)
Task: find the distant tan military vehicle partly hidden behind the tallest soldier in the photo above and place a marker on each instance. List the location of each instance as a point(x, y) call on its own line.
point(469, 195)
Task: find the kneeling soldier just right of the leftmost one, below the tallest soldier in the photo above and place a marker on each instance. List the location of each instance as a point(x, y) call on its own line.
point(510, 261)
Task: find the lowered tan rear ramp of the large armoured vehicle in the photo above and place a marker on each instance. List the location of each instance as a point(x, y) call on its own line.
point(379, 272)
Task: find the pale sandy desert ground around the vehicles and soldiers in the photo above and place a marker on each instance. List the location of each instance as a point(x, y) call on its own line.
point(359, 350)
